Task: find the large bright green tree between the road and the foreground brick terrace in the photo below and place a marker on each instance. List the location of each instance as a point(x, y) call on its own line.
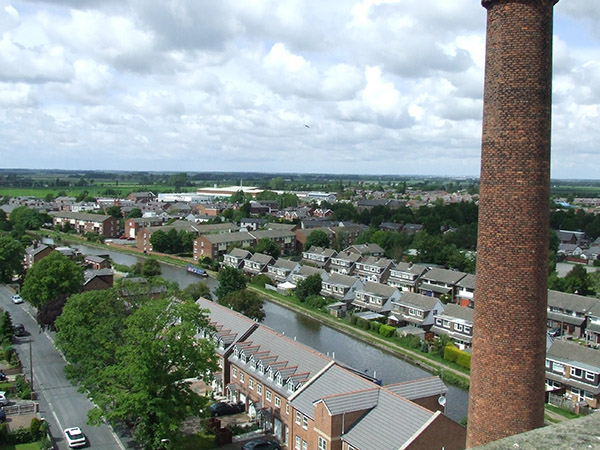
point(147, 386)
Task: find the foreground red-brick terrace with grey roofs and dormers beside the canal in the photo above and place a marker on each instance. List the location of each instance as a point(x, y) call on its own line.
point(308, 400)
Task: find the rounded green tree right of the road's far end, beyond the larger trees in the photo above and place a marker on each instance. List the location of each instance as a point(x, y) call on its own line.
point(50, 277)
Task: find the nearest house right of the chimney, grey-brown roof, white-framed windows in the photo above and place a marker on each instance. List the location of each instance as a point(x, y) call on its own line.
point(576, 369)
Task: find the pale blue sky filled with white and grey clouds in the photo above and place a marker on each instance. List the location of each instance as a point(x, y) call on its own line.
point(335, 86)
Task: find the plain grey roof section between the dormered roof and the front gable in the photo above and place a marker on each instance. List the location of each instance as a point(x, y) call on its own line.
point(334, 380)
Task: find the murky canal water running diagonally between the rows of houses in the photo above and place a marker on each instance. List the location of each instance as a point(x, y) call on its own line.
point(343, 348)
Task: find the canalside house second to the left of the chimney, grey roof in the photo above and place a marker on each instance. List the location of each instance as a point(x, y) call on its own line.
point(415, 309)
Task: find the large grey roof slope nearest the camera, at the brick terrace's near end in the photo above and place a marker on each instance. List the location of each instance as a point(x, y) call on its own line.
point(390, 425)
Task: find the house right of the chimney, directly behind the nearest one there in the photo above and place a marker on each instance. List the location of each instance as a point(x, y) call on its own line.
point(568, 312)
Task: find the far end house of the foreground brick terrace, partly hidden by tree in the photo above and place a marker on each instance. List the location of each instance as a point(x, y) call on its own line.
point(226, 327)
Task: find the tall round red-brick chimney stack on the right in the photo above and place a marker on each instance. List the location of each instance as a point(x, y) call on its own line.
point(507, 374)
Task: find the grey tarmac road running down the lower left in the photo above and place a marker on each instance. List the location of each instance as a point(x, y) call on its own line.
point(60, 402)
